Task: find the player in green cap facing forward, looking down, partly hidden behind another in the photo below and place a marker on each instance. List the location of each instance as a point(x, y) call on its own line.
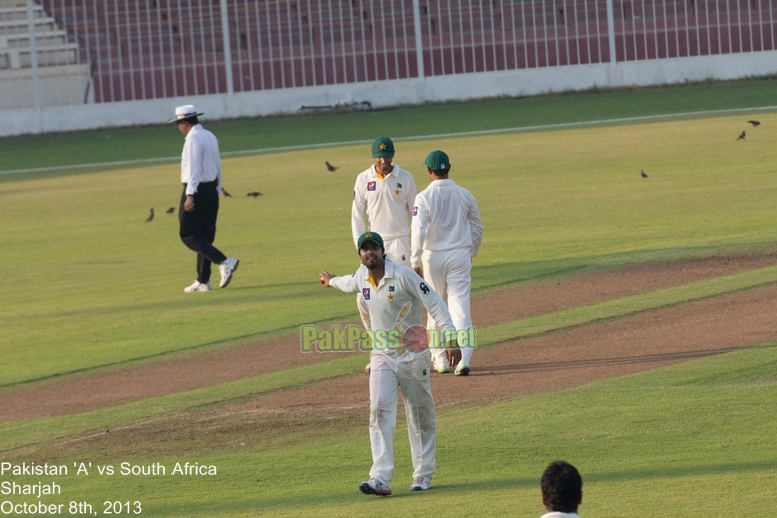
point(383, 202)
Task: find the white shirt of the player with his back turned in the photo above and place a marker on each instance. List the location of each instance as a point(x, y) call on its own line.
point(445, 217)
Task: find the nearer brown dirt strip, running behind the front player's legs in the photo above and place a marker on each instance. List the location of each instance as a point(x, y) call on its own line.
point(597, 351)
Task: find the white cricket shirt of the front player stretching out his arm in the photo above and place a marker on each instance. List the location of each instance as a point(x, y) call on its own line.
point(387, 302)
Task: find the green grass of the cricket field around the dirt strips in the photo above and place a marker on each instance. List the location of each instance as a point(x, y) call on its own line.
point(90, 286)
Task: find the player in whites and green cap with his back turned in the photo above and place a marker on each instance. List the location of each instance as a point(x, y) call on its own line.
point(447, 232)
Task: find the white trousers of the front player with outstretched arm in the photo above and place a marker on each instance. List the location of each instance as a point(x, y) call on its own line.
point(410, 373)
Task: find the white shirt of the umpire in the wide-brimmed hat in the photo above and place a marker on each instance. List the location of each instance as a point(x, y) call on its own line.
point(200, 160)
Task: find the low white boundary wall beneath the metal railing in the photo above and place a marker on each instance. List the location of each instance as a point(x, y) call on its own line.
point(388, 93)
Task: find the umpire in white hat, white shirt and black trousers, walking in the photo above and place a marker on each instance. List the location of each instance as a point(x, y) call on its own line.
point(201, 178)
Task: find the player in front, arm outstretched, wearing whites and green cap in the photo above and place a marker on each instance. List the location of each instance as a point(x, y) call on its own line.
point(394, 295)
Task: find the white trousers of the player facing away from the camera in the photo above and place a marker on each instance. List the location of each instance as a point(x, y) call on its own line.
point(448, 273)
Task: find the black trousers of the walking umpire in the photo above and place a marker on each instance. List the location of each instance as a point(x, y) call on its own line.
point(198, 228)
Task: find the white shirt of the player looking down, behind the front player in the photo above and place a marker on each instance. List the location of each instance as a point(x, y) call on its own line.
point(386, 202)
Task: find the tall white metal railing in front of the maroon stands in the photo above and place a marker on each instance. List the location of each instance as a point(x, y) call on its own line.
point(123, 50)
